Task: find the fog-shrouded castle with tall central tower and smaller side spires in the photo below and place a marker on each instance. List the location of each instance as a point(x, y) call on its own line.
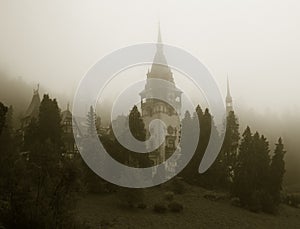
point(151, 109)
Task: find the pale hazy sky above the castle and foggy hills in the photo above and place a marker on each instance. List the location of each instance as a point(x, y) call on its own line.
point(255, 42)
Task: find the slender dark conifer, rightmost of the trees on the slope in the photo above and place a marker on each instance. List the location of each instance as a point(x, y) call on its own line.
point(277, 171)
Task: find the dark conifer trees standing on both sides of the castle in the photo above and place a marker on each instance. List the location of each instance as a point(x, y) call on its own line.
point(39, 186)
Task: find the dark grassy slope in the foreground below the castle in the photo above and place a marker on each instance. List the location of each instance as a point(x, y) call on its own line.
point(105, 211)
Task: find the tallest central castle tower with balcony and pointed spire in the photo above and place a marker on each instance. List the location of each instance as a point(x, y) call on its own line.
point(157, 109)
